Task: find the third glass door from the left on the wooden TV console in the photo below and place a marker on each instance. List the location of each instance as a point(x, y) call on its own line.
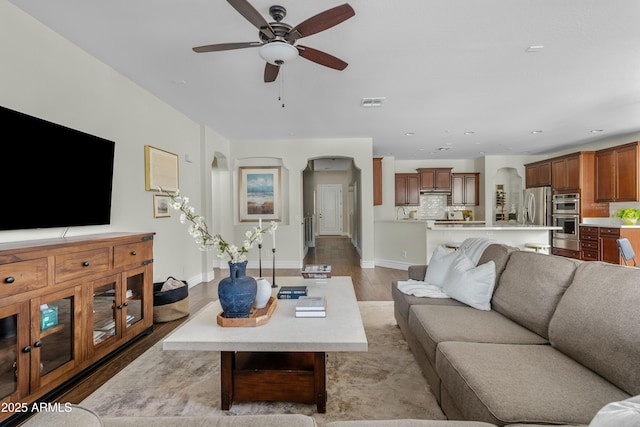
point(105, 311)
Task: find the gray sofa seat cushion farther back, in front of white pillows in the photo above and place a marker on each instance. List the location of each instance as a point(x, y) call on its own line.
point(432, 325)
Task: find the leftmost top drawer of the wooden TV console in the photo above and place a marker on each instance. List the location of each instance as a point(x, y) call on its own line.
point(23, 276)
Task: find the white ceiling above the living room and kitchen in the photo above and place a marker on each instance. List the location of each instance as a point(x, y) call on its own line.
point(444, 67)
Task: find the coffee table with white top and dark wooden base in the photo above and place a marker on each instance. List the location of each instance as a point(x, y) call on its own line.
point(284, 359)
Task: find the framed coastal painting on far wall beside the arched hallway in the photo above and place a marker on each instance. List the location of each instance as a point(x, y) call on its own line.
point(260, 193)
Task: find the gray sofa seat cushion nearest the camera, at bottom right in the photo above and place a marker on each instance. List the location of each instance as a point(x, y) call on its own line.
point(510, 383)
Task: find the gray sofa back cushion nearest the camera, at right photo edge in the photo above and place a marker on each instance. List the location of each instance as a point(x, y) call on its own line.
point(597, 322)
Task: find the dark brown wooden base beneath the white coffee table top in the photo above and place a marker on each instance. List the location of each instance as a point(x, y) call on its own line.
point(280, 376)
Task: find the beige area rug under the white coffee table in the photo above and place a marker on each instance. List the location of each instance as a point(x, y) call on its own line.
point(383, 383)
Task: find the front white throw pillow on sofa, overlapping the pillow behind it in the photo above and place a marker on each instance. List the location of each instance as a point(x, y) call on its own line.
point(470, 284)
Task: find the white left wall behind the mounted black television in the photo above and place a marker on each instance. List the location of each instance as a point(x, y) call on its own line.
point(43, 75)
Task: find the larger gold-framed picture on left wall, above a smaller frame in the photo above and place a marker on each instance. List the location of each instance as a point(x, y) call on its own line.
point(161, 169)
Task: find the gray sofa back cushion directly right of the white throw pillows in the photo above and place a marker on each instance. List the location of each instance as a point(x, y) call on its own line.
point(531, 286)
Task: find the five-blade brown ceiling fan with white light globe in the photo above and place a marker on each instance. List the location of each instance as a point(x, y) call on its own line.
point(277, 39)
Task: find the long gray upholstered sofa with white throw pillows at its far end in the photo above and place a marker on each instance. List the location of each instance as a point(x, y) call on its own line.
point(561, 340)
